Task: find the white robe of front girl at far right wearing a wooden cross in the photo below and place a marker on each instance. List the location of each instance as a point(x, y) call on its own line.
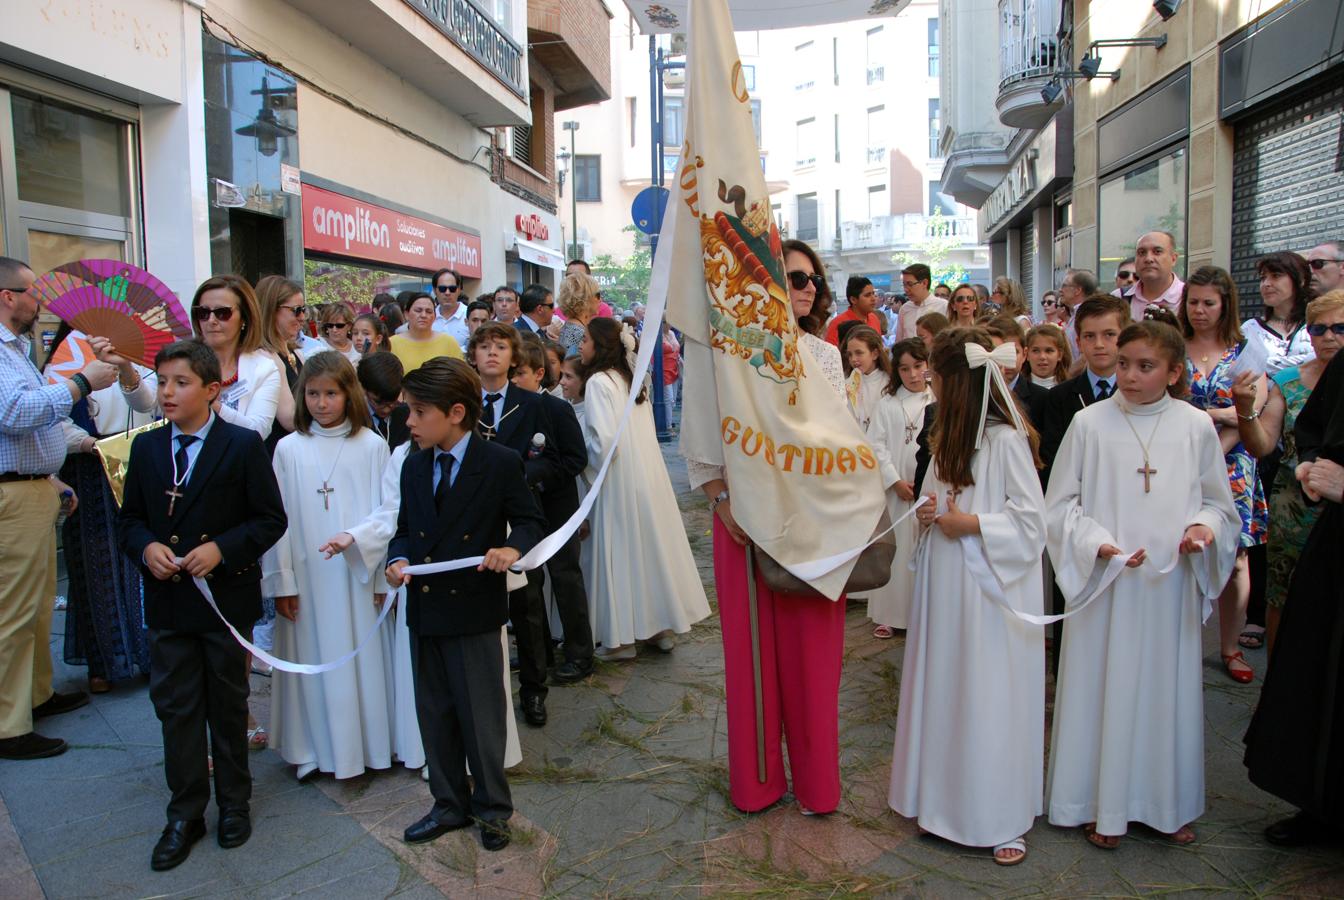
point(1130, 717)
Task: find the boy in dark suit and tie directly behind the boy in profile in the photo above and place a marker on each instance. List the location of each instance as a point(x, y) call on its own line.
point(517, 420)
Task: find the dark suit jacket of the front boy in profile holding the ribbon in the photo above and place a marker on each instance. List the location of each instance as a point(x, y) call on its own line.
point(489, 495)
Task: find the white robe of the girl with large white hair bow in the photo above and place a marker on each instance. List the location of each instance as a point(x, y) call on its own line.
point(970, 748)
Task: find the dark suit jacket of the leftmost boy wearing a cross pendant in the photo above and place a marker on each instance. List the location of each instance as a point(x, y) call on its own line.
point(232, 500)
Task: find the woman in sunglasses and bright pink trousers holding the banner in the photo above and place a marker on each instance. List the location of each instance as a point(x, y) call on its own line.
point(803, 639)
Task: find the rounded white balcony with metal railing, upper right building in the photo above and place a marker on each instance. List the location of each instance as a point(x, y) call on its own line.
point(1029, 54)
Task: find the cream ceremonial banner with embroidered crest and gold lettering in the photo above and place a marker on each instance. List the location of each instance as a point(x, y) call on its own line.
point(806, 484)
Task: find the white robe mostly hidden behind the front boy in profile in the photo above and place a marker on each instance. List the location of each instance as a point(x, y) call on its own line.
point(369, 554)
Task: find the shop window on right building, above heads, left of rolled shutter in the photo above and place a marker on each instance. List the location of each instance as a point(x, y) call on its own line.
point(1147, 197)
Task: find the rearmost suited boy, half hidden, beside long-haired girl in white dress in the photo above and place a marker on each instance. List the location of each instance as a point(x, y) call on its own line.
point(560, 502)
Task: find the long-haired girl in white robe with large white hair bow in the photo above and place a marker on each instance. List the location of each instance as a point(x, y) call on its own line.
point(970, 748)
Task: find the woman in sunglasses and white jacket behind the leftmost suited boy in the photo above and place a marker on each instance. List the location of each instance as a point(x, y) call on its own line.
point(228, 320)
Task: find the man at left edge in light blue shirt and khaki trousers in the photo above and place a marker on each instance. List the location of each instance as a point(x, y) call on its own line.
point(33, 447)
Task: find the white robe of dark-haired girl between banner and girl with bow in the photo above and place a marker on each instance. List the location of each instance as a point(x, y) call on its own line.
point(893, 433)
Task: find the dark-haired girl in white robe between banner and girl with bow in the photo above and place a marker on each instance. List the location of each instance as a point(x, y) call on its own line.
point(893, 433)
